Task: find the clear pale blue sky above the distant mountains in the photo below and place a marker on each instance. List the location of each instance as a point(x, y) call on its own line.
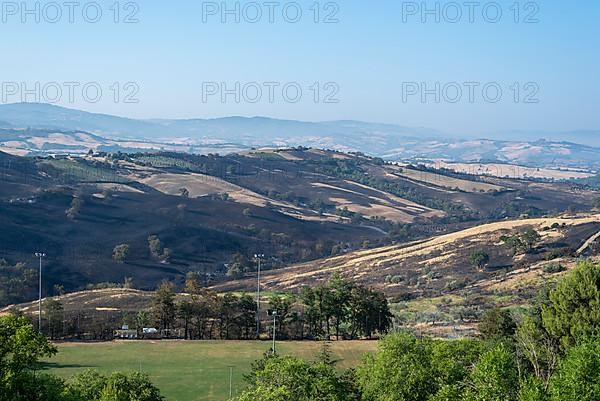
point(368, 54)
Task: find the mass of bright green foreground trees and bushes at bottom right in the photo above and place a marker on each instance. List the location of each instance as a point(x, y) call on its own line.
point(551, 353)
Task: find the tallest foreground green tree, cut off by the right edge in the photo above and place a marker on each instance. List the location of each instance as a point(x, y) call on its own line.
point(573, 314)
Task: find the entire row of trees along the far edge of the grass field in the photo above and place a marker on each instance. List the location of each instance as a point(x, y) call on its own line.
point(337, 308)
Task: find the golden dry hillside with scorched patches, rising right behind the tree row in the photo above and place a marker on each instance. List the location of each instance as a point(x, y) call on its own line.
point(434, 287)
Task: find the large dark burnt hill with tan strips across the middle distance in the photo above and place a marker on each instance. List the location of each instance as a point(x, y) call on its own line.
point(211, 213)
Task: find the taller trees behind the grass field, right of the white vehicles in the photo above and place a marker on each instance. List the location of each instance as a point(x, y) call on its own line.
point(337, 307)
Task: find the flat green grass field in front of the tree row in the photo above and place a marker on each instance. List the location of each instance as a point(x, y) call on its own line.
point(192, 371)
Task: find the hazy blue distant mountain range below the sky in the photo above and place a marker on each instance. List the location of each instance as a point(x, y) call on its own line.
point(30, 128)
